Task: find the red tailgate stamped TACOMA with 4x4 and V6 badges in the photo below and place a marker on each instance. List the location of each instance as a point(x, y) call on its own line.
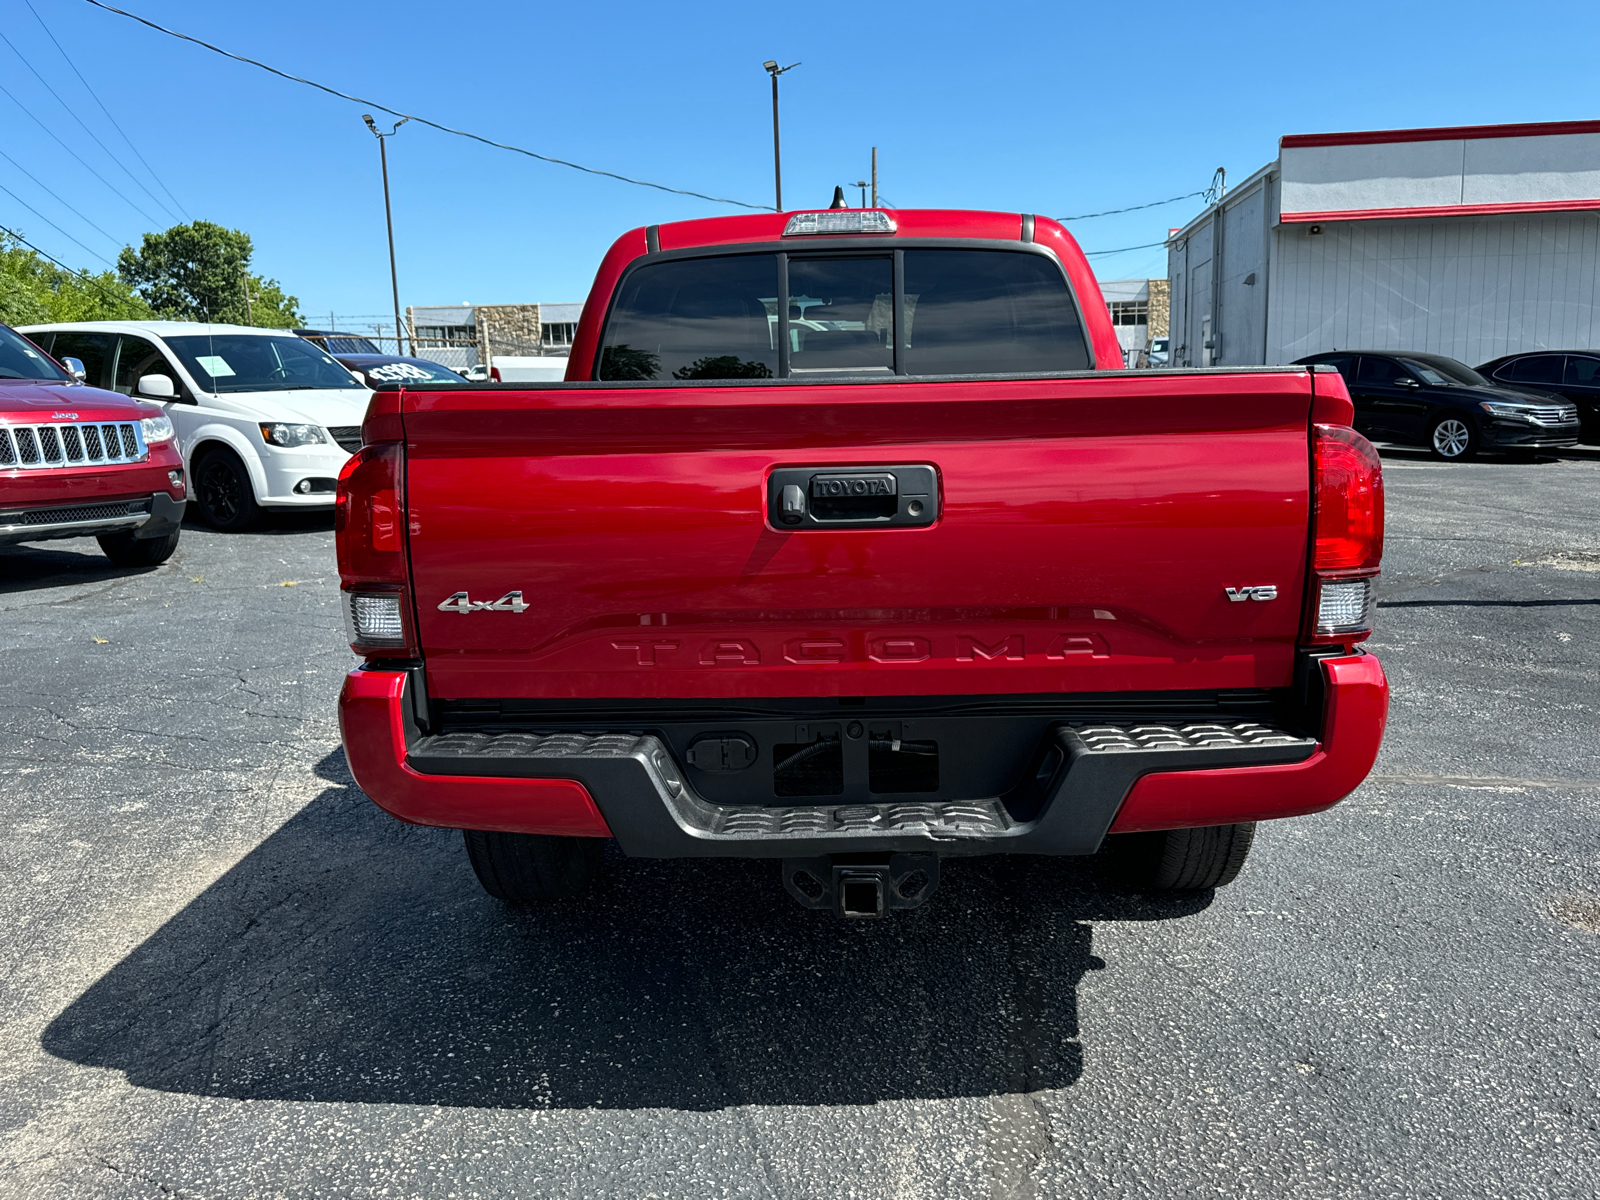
point(1089, 537)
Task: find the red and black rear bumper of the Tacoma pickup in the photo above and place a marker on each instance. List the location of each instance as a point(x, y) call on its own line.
point(1086, 782)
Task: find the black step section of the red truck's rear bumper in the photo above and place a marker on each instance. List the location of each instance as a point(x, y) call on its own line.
point(1073, 791)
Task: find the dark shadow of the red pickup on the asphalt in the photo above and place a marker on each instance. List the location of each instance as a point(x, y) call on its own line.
point(354, 959)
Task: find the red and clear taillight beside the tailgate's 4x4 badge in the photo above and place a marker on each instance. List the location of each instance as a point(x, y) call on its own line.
point(369, 527)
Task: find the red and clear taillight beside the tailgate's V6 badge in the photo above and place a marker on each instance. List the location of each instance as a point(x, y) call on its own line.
point(1348, 535)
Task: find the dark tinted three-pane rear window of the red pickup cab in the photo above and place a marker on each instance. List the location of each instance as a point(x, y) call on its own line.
point(727, 318)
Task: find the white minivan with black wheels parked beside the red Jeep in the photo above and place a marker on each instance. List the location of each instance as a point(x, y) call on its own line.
point(265, 420)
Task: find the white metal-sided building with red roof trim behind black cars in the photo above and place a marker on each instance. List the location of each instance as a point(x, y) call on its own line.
point(1471, 242)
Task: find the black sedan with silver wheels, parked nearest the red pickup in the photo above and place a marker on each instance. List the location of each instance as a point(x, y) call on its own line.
point(1438, 402)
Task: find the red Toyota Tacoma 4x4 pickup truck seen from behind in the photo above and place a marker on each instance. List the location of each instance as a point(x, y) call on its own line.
point(846, 543)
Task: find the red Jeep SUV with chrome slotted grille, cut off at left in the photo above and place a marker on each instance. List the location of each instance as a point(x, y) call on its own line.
point(78, 462)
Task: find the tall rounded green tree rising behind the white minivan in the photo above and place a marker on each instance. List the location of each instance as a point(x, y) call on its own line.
point(201, 273)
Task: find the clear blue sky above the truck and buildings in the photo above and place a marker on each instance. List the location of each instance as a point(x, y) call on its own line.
point(1055, 110)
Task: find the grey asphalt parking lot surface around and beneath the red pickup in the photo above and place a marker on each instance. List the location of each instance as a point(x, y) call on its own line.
point(228, 975)
